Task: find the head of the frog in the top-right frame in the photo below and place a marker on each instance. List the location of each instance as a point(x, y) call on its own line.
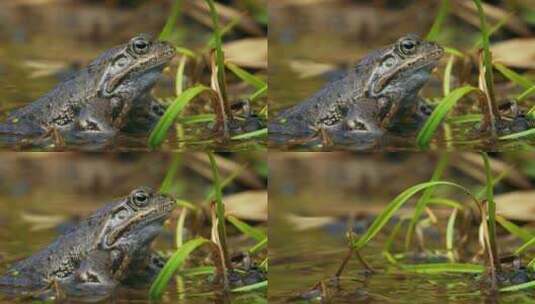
point(401, 68)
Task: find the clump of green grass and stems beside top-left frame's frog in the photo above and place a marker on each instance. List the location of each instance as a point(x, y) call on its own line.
point(216, 92)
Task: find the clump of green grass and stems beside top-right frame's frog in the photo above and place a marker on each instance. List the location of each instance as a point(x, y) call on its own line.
point(484, 93)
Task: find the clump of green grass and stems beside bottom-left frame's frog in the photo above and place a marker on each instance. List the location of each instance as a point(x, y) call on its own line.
point(217, 244)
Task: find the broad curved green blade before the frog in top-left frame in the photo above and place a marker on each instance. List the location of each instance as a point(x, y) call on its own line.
point(160, 131)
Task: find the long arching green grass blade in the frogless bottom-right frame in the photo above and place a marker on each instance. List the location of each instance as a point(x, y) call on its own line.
point(394, 206)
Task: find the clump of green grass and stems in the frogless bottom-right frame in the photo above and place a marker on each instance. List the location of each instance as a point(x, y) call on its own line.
point(486, 207)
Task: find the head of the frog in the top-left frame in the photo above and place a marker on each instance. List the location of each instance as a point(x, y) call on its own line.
point(133, 68)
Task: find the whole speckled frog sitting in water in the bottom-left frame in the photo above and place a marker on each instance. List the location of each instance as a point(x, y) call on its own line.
point(102, 251)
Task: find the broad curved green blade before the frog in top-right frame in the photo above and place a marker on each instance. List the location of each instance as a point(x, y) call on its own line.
point(432, 123)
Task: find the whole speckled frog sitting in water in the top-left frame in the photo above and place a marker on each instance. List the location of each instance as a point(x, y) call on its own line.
point(109, 95)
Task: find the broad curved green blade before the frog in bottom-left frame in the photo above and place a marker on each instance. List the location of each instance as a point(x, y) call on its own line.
point(175, 262)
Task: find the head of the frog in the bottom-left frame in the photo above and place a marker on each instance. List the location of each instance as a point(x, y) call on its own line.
point(135, 221)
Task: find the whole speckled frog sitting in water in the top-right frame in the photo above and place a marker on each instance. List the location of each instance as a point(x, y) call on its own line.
point(372, 98)
